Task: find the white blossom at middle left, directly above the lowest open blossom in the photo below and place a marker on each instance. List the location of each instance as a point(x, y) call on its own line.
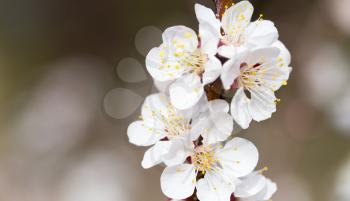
point(171, 131)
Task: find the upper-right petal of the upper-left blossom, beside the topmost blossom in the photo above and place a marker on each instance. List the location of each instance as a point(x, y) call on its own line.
point(209, 38)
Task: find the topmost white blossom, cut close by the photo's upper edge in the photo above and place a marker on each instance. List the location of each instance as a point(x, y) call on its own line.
point(238, 32)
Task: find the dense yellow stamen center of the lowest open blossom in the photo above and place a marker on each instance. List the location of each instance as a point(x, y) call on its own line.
point(204, 159)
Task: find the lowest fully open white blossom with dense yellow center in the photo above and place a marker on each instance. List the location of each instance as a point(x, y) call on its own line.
point(217, 167)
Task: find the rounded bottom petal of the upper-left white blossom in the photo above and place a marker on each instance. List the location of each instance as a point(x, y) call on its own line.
point(186, 91)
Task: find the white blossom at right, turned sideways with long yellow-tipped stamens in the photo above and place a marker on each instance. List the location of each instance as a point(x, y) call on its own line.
point(256, 75)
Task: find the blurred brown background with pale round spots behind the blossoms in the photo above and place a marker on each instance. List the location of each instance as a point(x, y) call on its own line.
point(72, 78)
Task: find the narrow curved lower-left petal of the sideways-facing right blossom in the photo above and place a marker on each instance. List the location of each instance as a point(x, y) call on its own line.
point(239, 109)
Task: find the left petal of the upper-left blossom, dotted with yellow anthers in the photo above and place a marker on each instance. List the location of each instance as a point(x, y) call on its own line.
point(161, 66)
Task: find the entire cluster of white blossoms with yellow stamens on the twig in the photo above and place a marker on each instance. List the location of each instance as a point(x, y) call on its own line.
point(243, 63)
